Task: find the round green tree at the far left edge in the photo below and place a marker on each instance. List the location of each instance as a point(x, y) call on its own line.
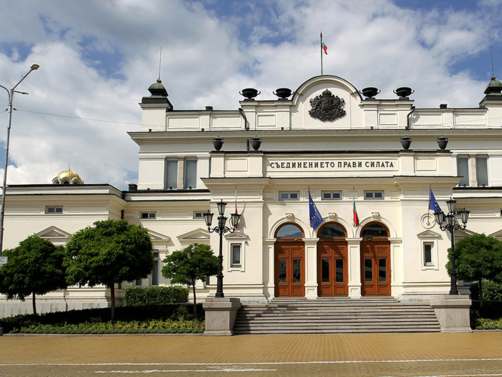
point(34, 267)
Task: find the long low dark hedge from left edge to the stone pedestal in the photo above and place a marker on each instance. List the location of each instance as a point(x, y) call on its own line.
point(125, 314)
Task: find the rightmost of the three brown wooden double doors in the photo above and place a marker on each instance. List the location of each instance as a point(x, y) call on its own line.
point(375, 267)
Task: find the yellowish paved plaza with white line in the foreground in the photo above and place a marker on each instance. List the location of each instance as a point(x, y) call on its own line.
point(372, 355)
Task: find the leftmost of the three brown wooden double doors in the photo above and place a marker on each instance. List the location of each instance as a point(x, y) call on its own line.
point(289, 269)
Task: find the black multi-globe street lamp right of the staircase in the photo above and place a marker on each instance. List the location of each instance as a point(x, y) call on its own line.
point(449, 223)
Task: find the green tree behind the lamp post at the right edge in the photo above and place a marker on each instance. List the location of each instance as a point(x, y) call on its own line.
point(478, 258)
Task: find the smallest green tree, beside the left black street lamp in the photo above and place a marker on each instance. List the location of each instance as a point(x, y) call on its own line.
point(194, 262)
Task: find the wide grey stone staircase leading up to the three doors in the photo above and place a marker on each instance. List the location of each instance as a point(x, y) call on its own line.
point(335, 316)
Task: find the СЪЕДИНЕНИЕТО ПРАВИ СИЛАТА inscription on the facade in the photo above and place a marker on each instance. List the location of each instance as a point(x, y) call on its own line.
point(377, 164)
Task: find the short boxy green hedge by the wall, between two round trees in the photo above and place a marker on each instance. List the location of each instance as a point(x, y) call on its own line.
point(138, 296)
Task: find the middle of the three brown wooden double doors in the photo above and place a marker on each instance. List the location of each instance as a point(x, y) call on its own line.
point(332, 268)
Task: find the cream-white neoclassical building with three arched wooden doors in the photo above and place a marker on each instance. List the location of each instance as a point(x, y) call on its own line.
point(342, 144)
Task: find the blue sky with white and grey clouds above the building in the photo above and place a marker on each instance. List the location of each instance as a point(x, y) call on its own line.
point(98, 57)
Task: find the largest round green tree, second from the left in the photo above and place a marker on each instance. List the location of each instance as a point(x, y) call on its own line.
point(109, 253)
